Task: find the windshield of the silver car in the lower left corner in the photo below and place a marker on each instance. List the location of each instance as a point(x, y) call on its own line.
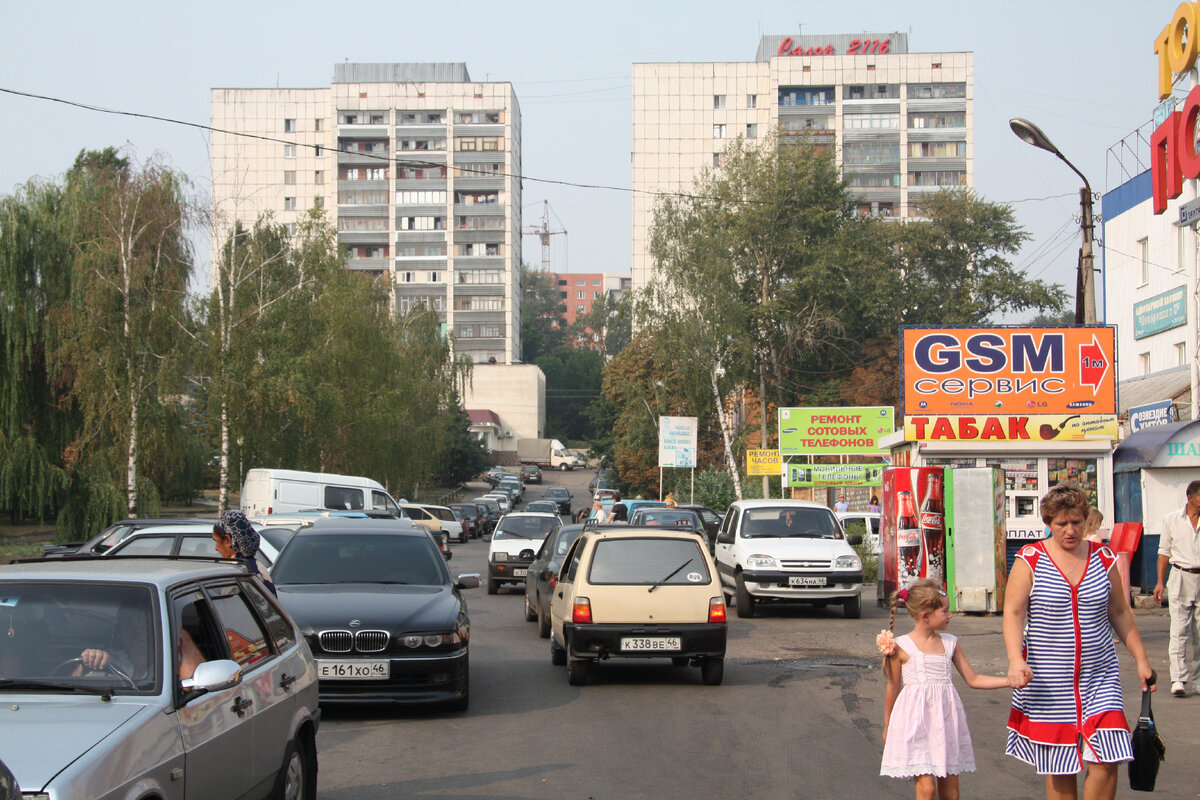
point(49, 627)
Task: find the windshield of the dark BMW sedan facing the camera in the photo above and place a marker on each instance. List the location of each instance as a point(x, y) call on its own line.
point(361, 558)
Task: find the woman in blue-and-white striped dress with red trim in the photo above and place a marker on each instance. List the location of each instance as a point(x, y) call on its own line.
point(1067, 708)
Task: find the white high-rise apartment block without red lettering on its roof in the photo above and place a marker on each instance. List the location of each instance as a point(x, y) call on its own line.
point(418, 166)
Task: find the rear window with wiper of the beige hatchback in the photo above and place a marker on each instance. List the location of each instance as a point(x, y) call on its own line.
point(647, 562)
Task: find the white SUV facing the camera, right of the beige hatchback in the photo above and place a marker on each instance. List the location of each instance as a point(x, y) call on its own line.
point(788, 551)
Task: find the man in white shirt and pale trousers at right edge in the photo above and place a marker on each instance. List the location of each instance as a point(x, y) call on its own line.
point(1180, 548)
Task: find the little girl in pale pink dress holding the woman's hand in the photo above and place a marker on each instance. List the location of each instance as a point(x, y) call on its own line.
point(926, 736)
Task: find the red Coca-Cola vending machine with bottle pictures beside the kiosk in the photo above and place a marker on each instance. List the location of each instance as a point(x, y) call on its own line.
point(914, 530)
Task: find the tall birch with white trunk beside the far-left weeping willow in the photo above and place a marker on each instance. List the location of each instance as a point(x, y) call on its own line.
point(124, 338)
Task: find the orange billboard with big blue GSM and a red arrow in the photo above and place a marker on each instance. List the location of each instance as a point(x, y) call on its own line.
point(999, 371)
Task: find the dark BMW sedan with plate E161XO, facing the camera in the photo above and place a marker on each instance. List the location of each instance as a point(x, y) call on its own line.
point(377, 605)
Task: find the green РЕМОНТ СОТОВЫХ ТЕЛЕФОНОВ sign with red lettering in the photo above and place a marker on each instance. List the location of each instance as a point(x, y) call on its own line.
point(833, 431)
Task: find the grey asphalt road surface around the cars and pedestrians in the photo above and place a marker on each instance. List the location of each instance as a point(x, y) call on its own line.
point(799, 715)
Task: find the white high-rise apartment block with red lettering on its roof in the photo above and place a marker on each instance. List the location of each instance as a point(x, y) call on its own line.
point(898, 123)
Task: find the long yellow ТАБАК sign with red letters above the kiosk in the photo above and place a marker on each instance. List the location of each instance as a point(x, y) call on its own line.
point(1031, 428)
